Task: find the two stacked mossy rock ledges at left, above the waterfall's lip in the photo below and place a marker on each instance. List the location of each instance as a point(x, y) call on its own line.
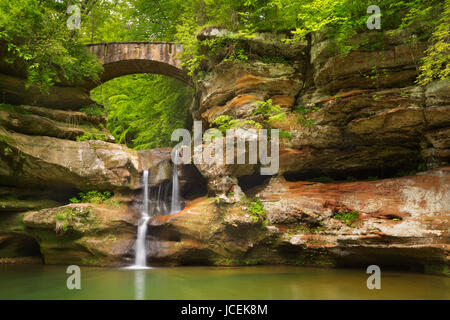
point(42, 148)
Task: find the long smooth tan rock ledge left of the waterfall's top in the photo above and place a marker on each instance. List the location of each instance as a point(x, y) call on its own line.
point(88, 165)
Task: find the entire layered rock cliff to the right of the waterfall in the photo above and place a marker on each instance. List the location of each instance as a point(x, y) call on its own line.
point(349, 117)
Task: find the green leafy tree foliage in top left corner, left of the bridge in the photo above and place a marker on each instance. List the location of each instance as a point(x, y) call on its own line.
point(34, 34)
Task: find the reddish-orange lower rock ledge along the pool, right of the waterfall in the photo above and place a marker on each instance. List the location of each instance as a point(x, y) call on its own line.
point(390, 222)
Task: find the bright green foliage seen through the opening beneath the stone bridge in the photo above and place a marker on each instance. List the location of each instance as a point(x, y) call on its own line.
point(144, 109)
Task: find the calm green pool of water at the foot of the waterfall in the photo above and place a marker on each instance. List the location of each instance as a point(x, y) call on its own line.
point(258, 282)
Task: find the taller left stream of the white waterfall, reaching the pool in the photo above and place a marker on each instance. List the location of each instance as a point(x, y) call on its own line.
point(141, 252)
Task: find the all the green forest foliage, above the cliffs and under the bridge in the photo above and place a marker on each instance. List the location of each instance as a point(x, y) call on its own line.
point(33, 34)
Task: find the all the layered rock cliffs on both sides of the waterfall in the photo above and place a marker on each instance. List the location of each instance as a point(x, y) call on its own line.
point(348, 117)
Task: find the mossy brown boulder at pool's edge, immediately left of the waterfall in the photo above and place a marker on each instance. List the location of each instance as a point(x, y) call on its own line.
point(84, 234)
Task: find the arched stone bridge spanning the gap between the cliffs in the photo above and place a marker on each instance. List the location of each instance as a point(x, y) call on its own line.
point(122, 58)
